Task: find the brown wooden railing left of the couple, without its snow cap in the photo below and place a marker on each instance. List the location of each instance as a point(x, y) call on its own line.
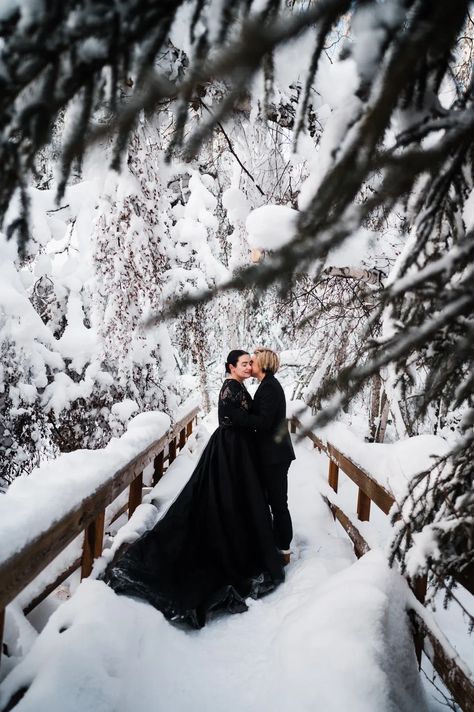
point(88, 516)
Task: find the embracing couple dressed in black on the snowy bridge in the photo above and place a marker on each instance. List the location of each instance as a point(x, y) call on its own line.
point(227, 534)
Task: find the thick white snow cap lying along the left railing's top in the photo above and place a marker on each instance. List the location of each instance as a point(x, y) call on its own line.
point(54, 488)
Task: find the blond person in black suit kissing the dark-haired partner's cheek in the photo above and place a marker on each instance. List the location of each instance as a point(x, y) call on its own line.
point(276, 452)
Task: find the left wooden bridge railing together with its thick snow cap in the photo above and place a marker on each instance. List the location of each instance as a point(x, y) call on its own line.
point(45, 513)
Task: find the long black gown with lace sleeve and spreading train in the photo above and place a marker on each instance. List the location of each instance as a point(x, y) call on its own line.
point(214, 547)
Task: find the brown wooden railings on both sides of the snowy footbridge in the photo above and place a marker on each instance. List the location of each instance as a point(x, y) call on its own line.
point(90, 517)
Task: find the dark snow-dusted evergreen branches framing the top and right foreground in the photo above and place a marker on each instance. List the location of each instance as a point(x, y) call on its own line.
point(397, 140)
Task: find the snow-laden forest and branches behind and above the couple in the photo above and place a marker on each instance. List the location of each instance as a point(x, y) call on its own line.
point(185, 177)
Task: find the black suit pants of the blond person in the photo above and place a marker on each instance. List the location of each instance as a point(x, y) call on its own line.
point(275, 483)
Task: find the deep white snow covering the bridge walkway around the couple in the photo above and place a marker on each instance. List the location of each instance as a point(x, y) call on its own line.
point(333, 637)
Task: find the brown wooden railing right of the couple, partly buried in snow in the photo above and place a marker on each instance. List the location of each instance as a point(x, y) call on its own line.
point(454, 675)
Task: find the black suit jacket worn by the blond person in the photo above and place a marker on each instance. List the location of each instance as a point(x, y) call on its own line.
point(268, 417)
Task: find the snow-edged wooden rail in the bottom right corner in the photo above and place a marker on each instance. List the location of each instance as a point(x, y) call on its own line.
point(460, 685)
